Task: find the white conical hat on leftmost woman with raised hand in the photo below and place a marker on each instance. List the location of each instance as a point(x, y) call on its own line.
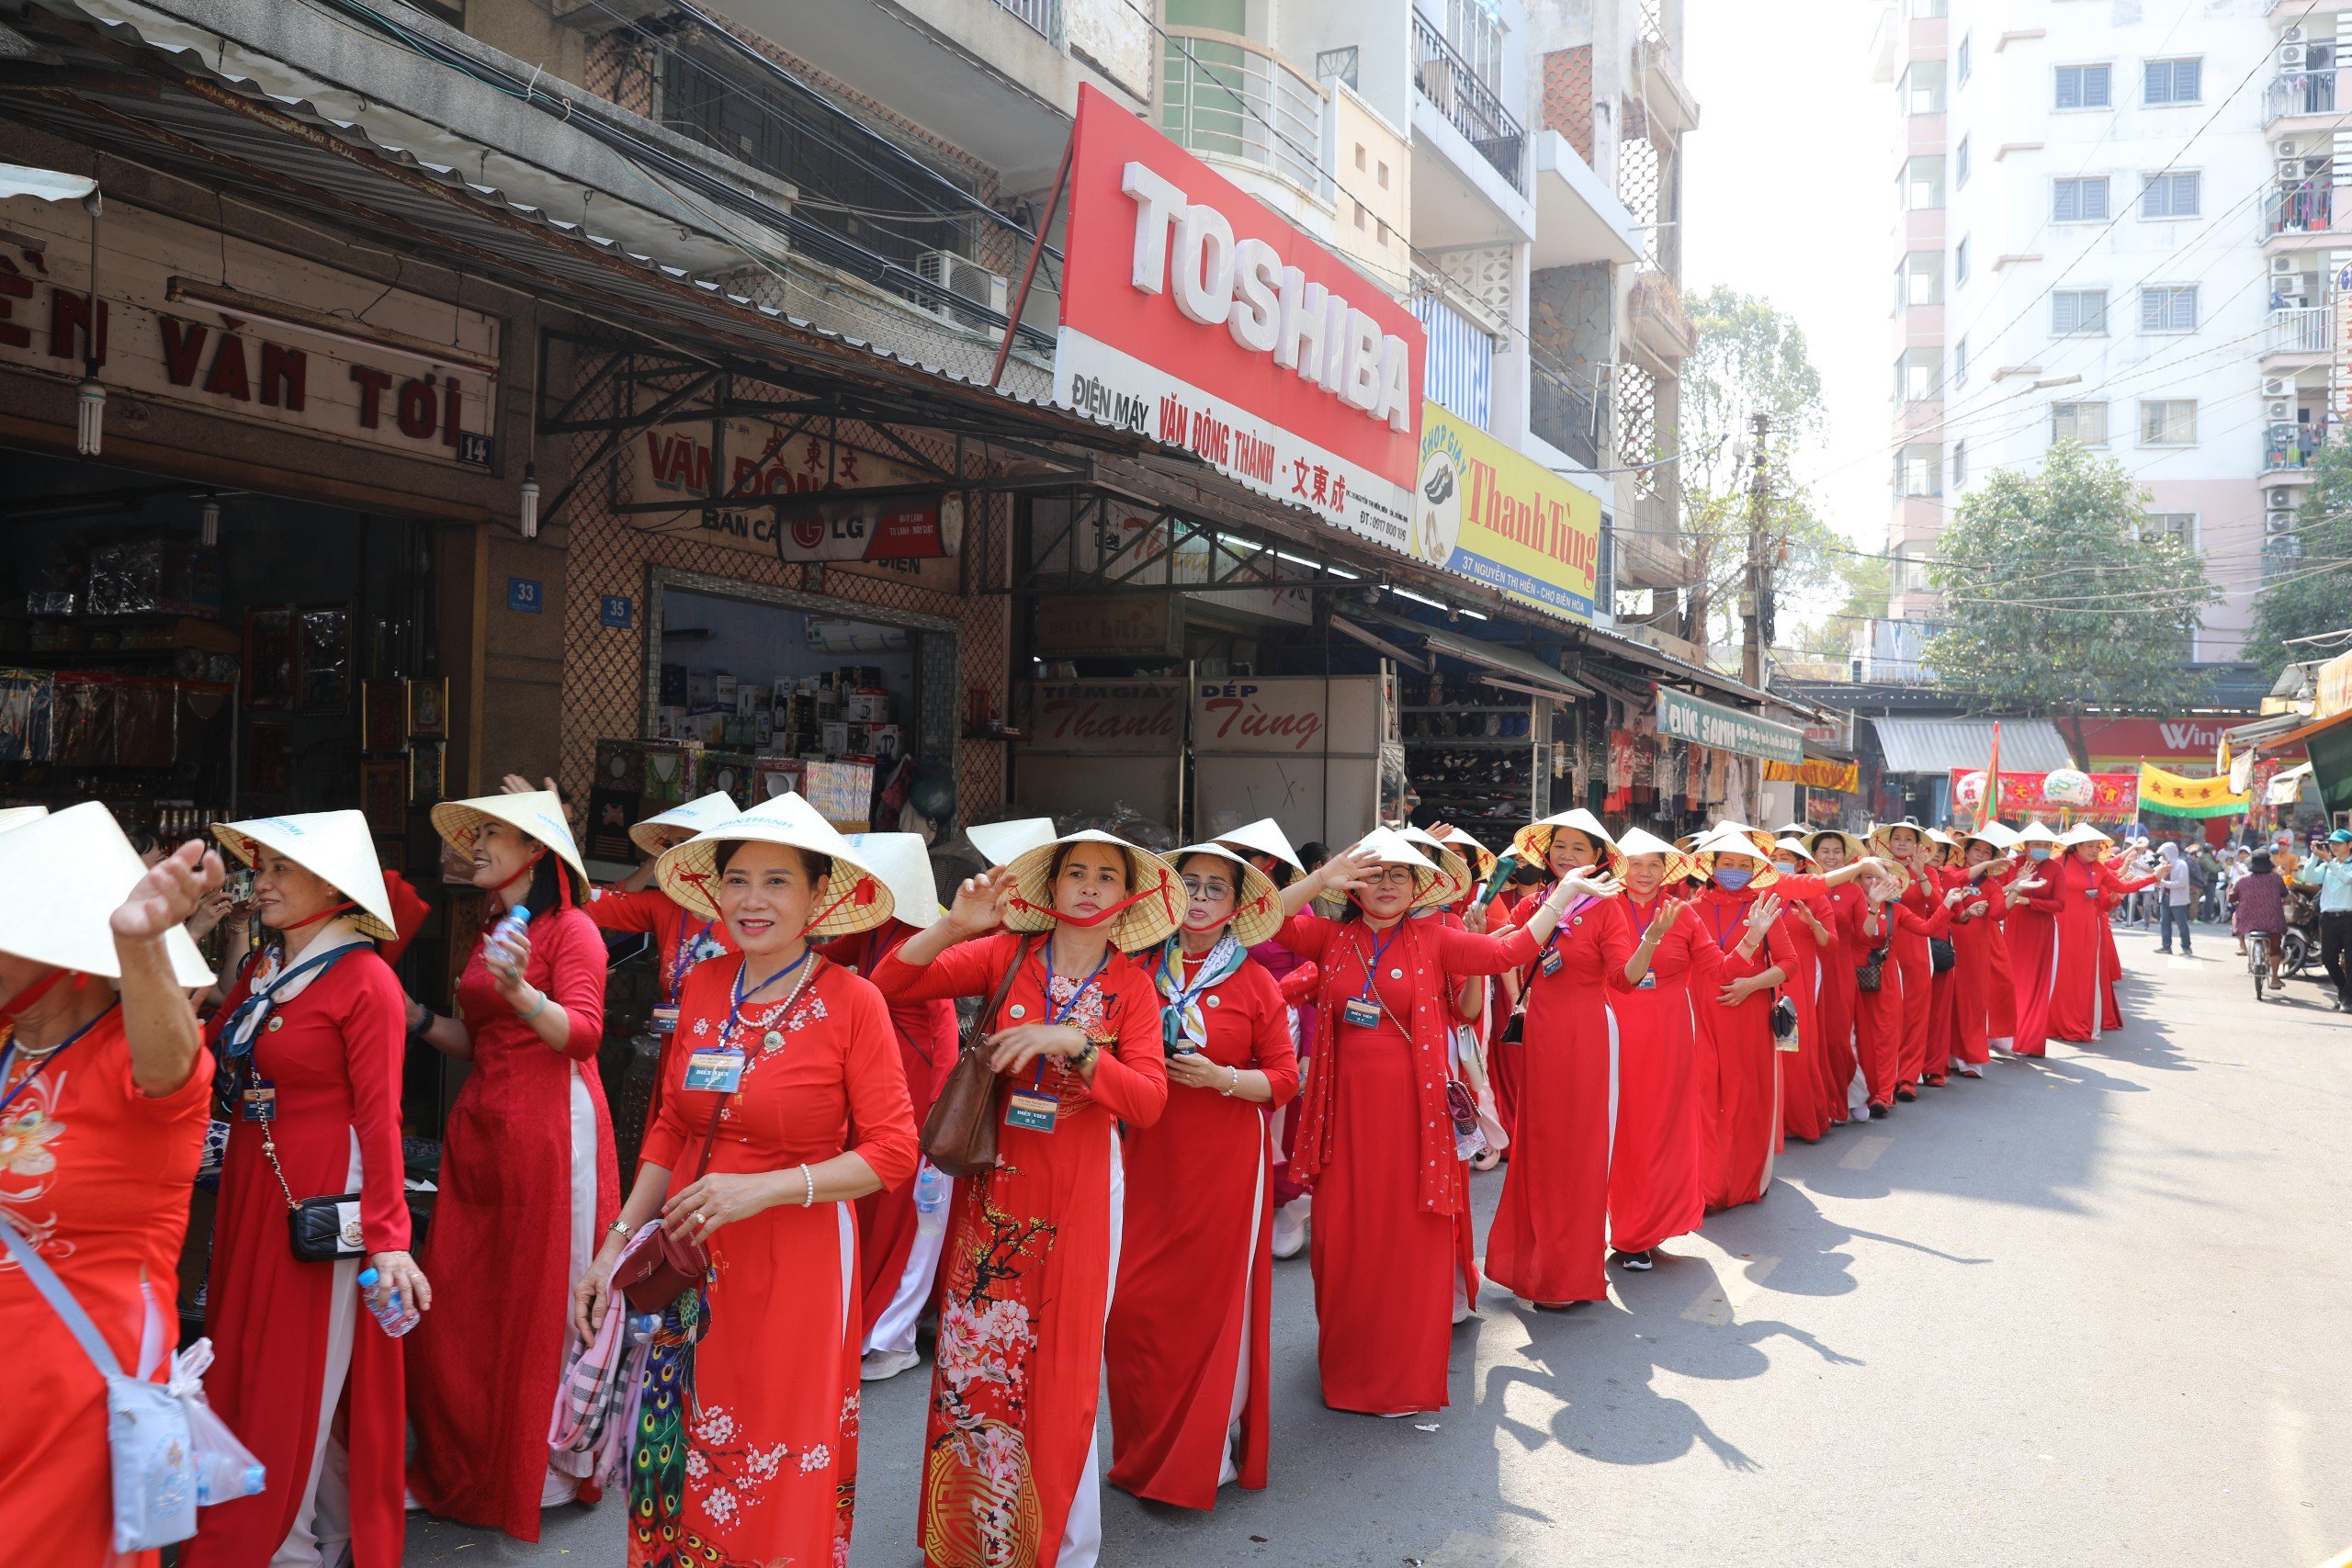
point(67, 876)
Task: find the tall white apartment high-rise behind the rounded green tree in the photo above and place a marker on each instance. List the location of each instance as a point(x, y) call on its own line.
point(2111, 225)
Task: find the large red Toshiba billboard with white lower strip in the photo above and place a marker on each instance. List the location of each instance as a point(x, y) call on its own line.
point(1196, 316)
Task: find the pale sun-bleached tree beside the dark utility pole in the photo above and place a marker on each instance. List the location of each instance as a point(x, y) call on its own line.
point(1751, 361)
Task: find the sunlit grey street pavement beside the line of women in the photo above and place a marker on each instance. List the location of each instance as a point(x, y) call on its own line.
point(2087, 1311)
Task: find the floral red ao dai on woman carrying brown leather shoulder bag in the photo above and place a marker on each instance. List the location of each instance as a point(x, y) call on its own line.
point(1010, 1468)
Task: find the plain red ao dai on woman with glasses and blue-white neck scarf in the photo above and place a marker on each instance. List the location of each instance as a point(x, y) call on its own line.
point(1191, 1320)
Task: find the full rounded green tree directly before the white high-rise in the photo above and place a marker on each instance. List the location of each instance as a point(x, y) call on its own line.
point(2057, 598)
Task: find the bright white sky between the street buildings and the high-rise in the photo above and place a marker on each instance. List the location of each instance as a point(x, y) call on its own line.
point(1789, 194)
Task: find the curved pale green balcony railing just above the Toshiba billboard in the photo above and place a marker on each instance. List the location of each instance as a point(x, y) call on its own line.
point(1234, 98)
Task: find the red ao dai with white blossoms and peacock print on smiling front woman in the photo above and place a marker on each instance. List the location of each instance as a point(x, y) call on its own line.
point(770, 1423)
